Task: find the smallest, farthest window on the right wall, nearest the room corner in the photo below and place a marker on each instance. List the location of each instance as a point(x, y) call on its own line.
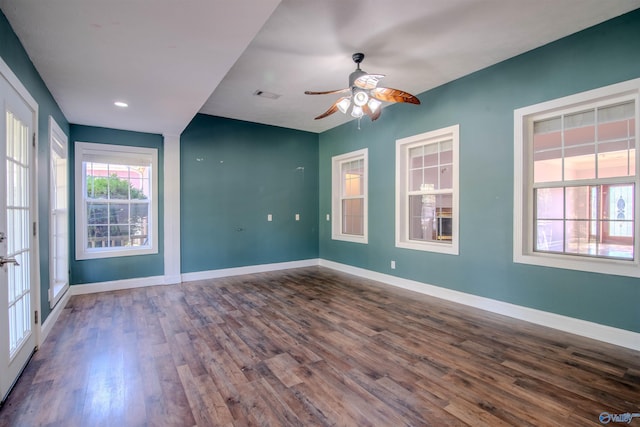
point(349, 193)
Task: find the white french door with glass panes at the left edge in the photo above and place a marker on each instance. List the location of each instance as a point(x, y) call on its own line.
point(17, 243)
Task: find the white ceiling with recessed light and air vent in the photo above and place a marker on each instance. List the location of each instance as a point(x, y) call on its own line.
point(169, 59)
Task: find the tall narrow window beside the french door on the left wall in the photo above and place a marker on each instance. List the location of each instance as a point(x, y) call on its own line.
point(59, 216)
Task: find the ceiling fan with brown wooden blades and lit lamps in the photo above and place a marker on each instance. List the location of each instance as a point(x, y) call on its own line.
point(365, 95)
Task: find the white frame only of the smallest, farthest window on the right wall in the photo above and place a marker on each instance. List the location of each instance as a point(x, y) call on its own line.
point(336, 196)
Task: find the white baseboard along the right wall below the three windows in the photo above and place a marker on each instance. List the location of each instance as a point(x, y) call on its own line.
point(608, 334)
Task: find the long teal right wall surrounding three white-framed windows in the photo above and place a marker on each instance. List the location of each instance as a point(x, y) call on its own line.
point(483, 103)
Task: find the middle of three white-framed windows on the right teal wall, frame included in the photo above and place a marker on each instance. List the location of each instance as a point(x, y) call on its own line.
point(427, 191)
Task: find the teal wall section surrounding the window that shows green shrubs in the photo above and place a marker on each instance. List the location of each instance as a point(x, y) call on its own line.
point(117, 268)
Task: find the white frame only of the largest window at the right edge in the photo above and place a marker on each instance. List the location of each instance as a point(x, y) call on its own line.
point(523, 247)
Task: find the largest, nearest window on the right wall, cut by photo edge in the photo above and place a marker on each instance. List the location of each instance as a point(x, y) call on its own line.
point(577, 181)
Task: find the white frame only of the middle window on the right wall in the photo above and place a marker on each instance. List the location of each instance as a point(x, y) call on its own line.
point(403, 146)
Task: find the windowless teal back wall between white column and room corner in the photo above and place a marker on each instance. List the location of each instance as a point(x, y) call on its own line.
point(233, 174)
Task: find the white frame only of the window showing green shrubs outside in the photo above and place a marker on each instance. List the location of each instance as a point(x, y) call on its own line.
point(113, 154)
